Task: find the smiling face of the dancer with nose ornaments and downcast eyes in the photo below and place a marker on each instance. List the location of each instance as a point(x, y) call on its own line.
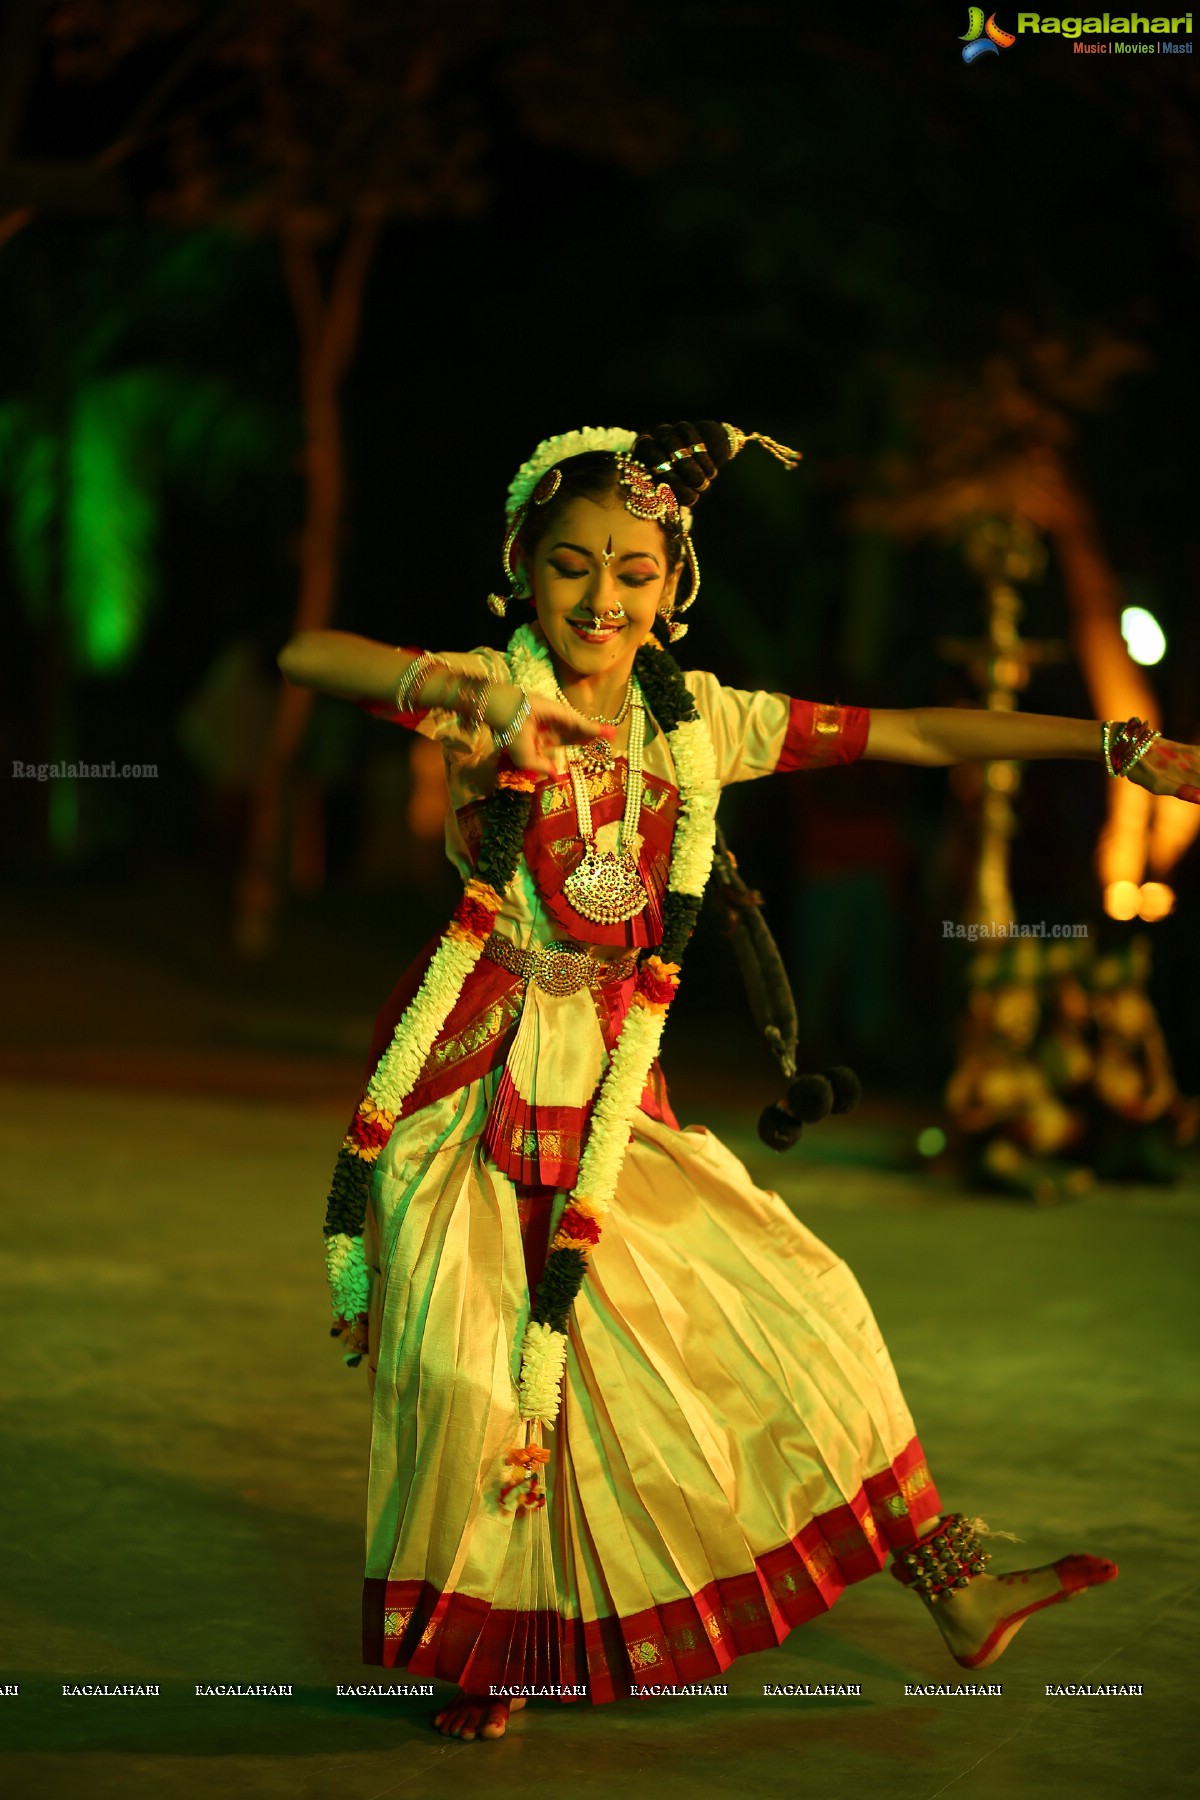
point(598, 579)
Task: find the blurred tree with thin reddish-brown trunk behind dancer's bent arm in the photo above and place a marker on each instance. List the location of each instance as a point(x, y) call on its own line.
point(318, 121)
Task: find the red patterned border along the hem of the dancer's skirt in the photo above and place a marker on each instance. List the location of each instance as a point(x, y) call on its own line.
point(409, 1624)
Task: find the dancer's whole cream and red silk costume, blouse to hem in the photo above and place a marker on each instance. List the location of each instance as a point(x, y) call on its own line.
point(733, 1446)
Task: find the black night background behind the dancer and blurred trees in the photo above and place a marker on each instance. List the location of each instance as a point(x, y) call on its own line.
point(801, 220)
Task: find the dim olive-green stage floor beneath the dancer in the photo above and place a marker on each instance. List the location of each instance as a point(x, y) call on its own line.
point(186, 1486)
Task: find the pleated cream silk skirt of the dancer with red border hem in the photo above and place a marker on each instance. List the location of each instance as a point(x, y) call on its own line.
point(733, 1446)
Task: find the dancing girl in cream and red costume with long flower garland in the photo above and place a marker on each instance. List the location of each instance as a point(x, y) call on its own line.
point(631, 1419)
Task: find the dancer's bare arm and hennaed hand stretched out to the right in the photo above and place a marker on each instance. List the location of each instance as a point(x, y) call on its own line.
point(940, 735)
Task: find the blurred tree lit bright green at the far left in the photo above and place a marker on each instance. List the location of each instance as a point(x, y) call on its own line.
point(91, 436)
